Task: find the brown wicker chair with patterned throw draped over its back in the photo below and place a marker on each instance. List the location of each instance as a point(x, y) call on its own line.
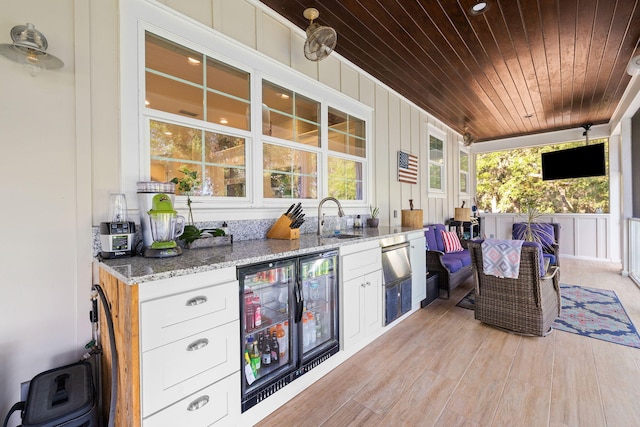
point(527, 305)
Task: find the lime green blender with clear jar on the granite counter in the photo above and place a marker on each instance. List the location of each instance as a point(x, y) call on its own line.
point(166, 226)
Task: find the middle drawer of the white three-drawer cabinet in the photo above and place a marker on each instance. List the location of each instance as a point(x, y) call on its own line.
point(171, 372)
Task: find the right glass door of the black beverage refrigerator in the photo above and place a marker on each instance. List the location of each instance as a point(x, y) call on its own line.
point(319, 277)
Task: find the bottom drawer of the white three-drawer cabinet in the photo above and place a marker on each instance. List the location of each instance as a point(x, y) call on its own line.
point(218, 404)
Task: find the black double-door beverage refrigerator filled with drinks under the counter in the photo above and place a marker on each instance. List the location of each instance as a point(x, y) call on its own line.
point(289, 321)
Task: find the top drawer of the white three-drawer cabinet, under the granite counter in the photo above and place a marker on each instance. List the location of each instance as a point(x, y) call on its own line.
point(171, 318)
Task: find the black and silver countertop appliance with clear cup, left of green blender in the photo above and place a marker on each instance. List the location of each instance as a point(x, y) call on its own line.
point(116, 236)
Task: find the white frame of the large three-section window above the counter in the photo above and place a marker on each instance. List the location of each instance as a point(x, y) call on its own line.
point(134, 123)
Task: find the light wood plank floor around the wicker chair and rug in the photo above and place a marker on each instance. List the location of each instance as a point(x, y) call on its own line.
point(441, 367)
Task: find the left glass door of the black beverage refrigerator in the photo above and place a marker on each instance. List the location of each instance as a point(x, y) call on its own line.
point(267, 322)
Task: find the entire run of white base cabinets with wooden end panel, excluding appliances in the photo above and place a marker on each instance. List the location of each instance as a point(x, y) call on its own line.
point(183, 335)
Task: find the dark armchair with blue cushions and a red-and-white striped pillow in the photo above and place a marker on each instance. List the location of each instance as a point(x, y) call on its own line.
point(453, 268)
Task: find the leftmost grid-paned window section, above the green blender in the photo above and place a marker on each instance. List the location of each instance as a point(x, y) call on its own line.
point(194, 104)
